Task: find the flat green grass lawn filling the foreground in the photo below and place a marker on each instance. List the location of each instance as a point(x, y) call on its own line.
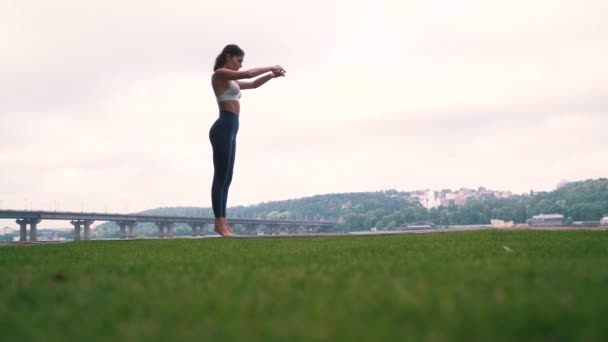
point(484, 285)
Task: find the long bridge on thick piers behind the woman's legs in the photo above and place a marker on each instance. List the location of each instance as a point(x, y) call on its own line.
point(197, 223)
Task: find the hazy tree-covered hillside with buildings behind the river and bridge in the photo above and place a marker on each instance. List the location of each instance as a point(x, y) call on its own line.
point(392, 209)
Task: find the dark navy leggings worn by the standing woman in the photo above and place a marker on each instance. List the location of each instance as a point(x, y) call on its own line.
point(223, 140)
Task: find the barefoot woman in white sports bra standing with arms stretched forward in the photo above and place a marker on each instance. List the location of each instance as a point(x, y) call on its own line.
point(227, 82)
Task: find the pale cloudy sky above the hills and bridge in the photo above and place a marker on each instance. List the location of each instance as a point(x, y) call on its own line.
point(107, 105)
